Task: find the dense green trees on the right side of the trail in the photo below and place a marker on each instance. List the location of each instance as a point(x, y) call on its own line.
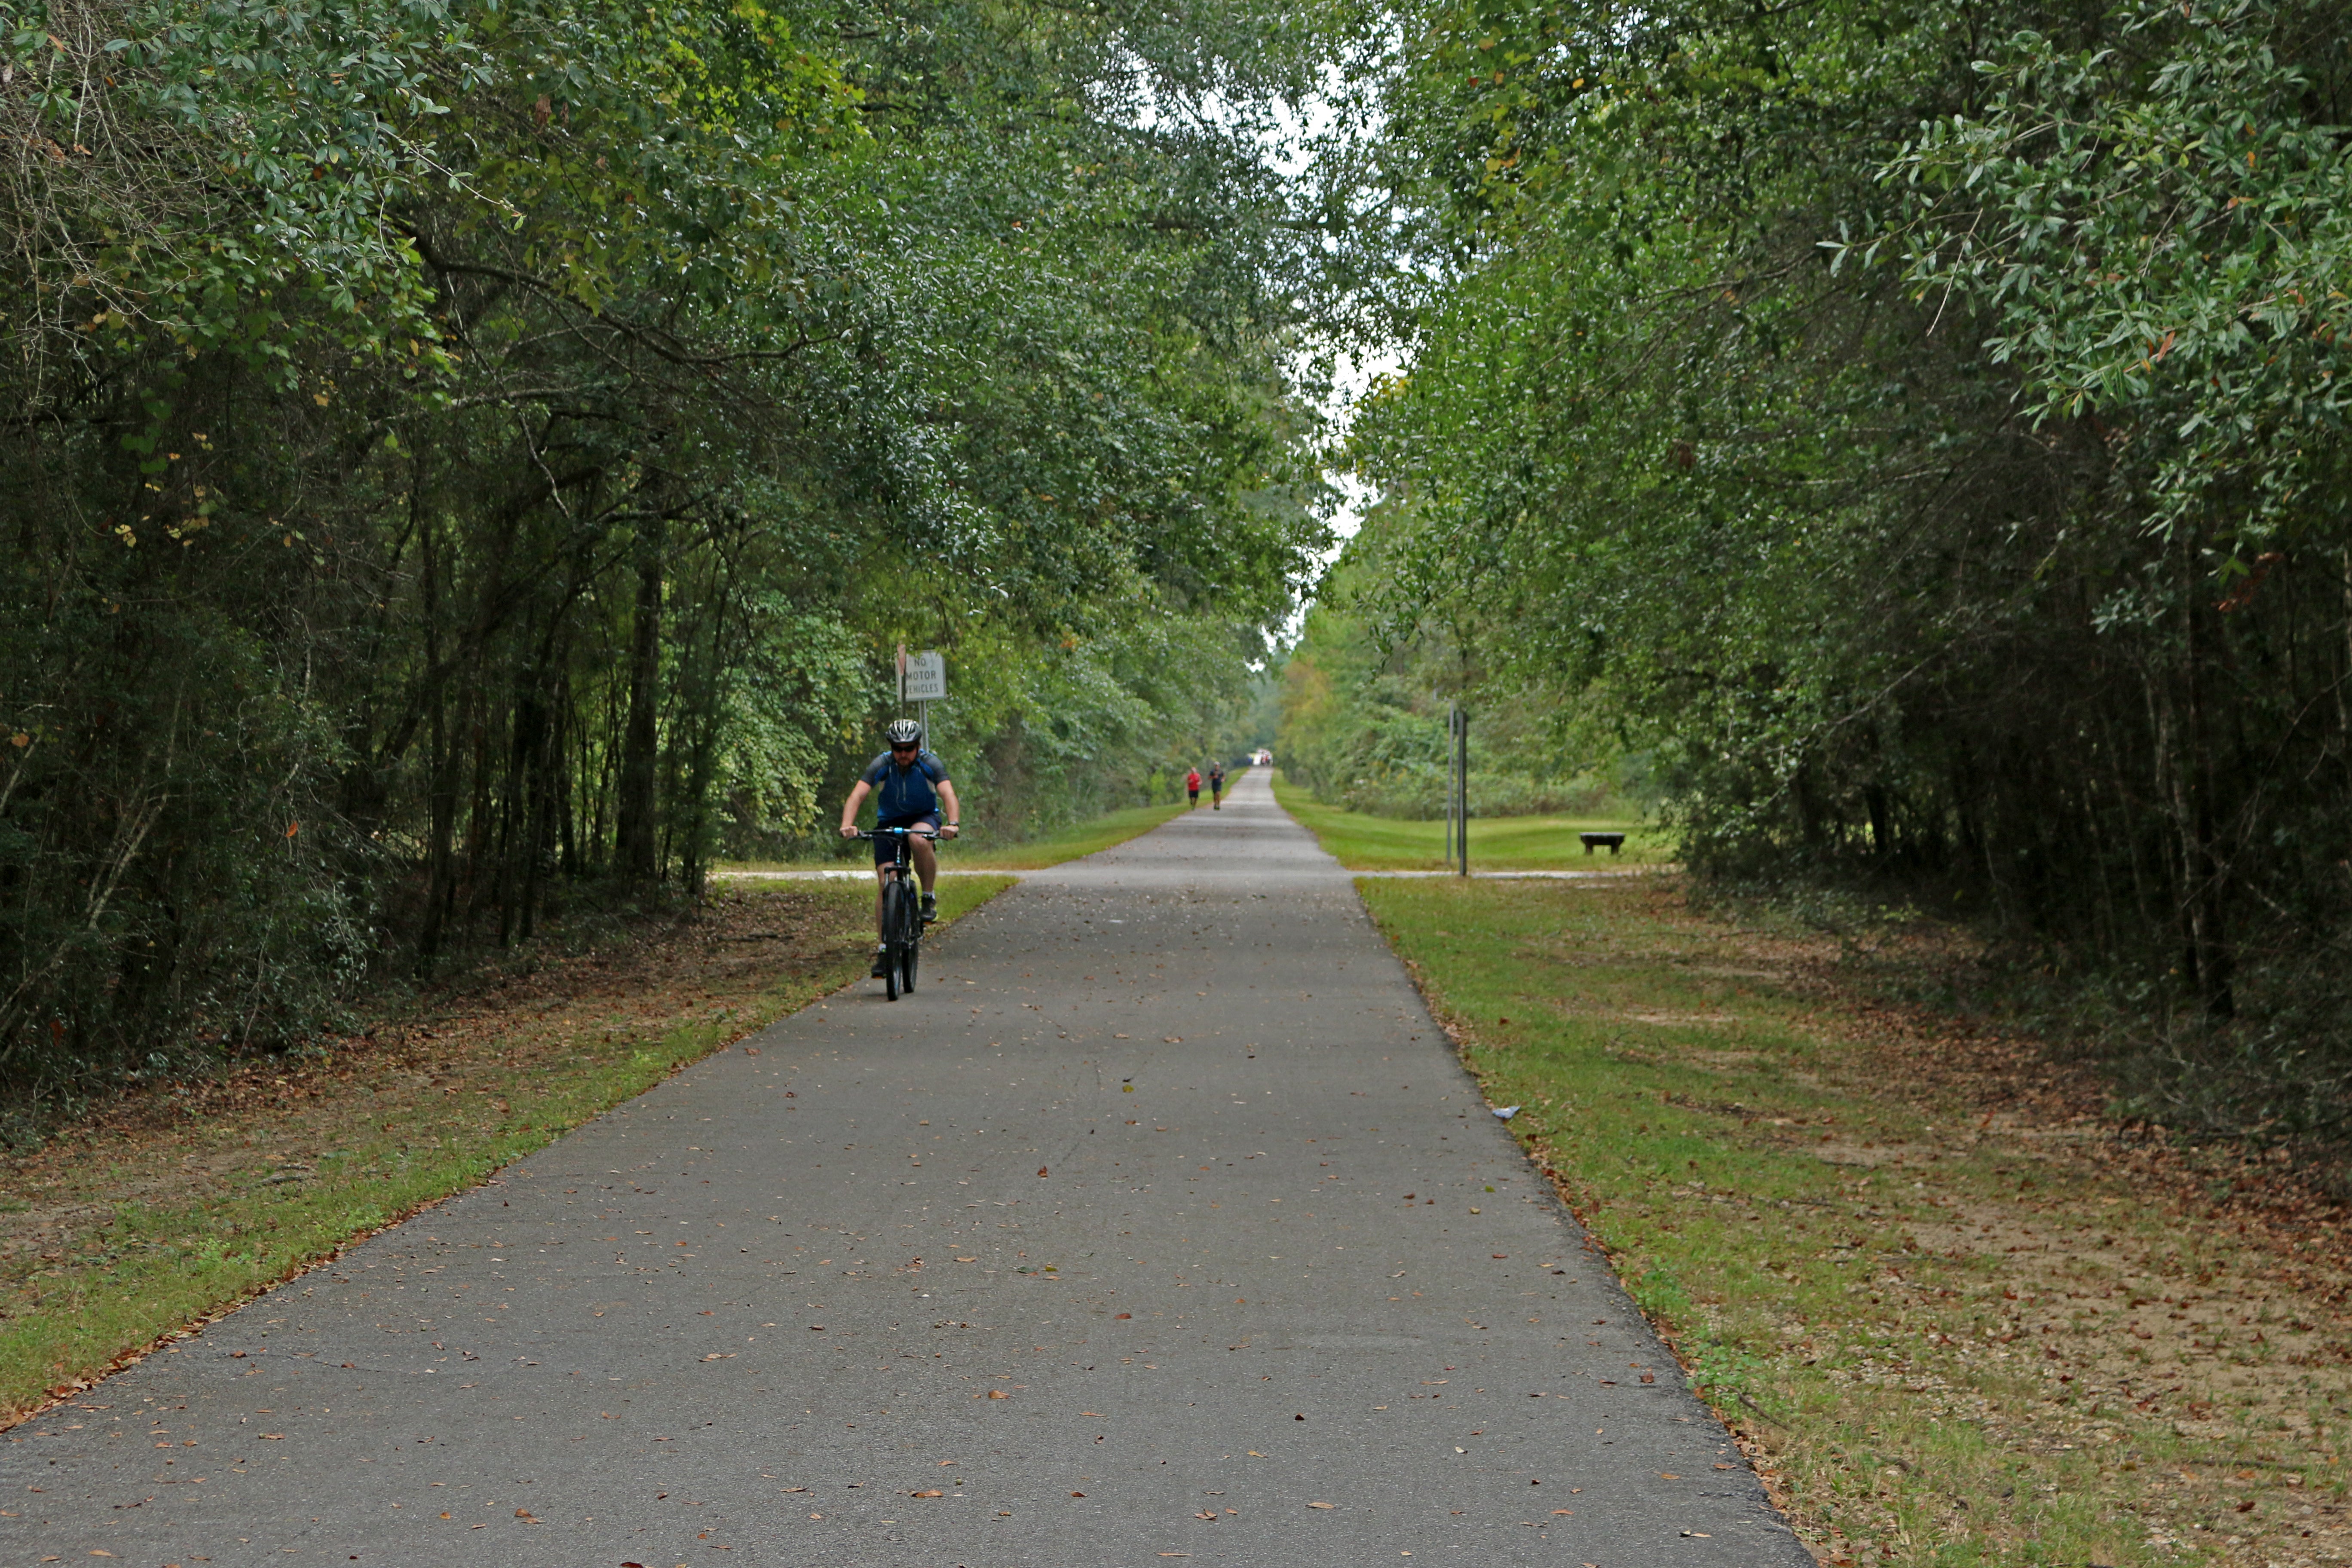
point(1913, 436)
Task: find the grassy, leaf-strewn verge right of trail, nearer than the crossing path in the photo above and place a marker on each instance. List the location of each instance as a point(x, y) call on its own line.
point(1946, 1332)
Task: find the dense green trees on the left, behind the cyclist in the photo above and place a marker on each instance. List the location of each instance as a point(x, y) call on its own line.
point(465, 460)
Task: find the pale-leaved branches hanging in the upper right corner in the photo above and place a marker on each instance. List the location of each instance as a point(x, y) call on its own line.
point(2160, 232)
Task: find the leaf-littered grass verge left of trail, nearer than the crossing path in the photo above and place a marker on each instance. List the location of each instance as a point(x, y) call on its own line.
point(175, 1207)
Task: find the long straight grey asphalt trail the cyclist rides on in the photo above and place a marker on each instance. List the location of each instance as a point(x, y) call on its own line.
point(1158, 1224)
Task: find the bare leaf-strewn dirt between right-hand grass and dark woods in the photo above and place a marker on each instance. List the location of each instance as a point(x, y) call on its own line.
point(2198, 1292)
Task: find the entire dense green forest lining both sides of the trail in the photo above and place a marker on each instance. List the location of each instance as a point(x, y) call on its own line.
point(467, 460)
